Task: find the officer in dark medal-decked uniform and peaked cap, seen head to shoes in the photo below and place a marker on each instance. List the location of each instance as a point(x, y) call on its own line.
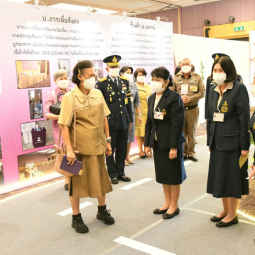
point(115, 90)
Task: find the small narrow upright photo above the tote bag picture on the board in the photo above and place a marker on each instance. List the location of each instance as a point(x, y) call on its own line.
point(35, 104)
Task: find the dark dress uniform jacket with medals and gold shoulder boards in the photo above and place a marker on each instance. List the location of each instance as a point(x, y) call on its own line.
point(118, 99)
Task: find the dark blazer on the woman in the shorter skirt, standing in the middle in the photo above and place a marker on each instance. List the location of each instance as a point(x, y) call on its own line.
point(169, 130)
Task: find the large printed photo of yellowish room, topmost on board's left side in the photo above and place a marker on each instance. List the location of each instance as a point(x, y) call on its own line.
point(33, 73)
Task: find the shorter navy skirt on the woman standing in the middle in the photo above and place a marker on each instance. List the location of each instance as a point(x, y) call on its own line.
point(170, 172)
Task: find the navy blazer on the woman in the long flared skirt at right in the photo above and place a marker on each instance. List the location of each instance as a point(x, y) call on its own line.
point(232, 134)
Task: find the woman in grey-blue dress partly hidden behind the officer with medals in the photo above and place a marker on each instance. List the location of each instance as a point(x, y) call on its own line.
point(127, 72)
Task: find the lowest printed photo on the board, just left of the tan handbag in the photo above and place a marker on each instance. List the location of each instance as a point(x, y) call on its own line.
point(36, 164)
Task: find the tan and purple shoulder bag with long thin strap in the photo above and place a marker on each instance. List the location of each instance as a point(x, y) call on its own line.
point(61, 164)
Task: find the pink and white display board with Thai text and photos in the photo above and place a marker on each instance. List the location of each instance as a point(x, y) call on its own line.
point(35, 42)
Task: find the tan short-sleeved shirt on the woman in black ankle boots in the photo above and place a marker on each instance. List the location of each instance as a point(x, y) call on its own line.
point(91, 111)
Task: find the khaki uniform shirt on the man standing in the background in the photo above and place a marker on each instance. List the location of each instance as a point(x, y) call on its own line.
point(196, 87)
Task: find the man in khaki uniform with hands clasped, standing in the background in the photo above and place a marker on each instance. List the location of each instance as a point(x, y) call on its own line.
point(191, 88)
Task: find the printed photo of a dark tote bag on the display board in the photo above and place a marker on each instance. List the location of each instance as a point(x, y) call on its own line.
point(36, 134)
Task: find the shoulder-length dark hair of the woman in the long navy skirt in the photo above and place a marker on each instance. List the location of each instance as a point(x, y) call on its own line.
point(228, 67)
